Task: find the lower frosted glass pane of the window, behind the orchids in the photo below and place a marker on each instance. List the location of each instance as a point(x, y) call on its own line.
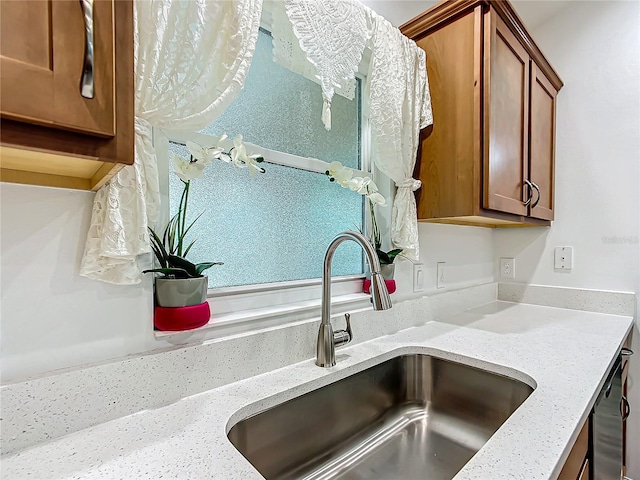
point(272, 227)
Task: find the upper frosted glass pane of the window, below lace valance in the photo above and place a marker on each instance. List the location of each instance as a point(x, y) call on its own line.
point(280, 110)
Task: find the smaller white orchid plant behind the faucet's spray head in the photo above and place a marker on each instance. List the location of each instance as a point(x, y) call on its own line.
point(343, 176)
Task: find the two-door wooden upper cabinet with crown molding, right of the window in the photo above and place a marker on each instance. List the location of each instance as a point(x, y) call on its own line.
point(489, 159)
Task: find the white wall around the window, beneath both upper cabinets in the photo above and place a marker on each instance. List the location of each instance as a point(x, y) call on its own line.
point(52, 318)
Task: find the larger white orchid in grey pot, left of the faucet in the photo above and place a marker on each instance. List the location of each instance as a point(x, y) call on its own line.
point(182, 282)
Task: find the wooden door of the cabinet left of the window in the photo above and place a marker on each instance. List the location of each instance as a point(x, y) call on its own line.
point(42, 57)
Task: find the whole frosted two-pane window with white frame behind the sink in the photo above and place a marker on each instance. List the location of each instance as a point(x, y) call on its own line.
point(274, 227)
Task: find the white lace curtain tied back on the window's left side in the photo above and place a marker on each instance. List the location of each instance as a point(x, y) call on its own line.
point(191, 61)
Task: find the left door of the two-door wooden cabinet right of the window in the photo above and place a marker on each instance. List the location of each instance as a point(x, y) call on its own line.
point(506, 119)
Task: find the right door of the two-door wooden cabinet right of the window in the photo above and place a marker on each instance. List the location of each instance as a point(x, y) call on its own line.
point(542, 127)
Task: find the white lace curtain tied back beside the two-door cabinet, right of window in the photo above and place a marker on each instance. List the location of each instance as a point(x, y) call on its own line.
point(400, 105)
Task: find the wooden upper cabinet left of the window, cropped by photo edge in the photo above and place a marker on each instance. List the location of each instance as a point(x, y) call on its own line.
point(66, 91)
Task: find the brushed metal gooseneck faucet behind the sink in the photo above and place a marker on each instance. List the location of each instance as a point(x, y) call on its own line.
point(328, 340)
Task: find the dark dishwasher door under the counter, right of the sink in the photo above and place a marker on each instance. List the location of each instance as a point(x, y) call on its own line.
point(607, 428)
